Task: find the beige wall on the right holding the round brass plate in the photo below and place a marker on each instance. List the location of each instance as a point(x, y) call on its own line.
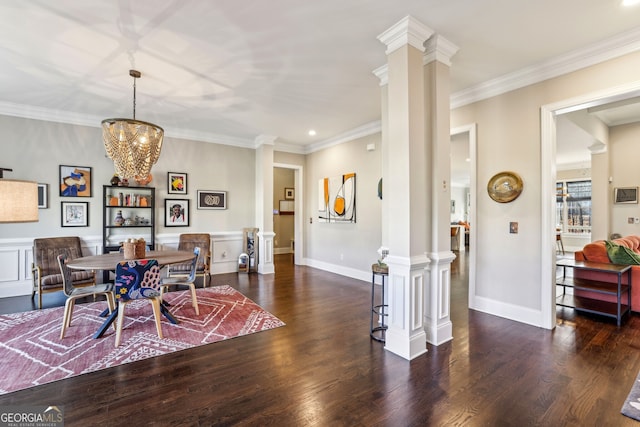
point(508, 131)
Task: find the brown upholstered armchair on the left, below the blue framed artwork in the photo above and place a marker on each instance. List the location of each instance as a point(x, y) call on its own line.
point(45, 270)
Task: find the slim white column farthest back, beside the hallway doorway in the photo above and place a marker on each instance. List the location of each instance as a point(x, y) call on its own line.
point(264, 202)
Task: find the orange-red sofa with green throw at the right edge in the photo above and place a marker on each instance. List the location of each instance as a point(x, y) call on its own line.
point(597, 252)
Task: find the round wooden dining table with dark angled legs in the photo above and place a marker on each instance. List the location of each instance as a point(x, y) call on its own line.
point(108, 262)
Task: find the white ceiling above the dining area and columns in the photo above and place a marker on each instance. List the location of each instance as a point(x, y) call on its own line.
point(230, 71)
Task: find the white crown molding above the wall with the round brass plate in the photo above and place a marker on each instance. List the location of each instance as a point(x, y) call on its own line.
point(614, 47)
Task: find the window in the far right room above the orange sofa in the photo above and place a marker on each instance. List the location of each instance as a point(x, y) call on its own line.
point(573, 206)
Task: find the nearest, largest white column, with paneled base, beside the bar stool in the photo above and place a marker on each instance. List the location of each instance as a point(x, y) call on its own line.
point(405, 167)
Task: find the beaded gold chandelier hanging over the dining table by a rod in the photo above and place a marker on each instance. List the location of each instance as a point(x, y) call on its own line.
point(133, 145)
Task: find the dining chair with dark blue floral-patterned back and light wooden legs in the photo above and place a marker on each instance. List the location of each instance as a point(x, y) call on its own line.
point(137, 279)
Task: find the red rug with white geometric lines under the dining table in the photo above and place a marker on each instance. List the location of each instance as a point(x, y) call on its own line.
point(32, 352)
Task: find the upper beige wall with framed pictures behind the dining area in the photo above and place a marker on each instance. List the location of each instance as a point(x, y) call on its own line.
point(34, 149)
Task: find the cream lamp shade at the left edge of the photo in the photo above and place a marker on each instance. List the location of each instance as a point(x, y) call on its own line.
point(18, 201)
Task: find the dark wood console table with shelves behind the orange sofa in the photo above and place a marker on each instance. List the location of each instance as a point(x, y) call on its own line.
point(620, 288)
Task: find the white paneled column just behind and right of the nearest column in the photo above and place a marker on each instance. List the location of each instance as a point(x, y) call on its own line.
point(437, 92)
